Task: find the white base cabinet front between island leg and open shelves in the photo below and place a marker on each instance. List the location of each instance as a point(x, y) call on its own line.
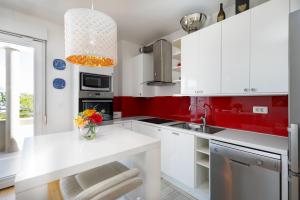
point(178, 156)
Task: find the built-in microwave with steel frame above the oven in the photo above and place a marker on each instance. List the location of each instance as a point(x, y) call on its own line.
point(95, 82)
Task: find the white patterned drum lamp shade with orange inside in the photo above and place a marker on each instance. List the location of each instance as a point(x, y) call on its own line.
point(90, 38)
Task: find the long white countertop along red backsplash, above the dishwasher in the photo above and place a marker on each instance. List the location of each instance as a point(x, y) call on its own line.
point(260, 141)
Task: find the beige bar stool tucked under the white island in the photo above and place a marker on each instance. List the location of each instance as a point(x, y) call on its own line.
point(107, 182)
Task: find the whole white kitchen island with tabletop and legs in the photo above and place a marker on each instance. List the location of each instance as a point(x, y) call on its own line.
point(48, 158)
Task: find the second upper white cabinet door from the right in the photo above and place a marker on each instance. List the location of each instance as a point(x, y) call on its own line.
point(236, 54)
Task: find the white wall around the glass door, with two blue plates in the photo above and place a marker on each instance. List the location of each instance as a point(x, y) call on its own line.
point(59, 102)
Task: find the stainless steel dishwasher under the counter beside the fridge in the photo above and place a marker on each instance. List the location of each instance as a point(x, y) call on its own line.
point(239, 173)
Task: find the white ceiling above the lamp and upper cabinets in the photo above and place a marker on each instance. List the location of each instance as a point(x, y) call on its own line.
point(140, 21)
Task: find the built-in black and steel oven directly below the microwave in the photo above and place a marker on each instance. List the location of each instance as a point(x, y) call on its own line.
point(101, 101)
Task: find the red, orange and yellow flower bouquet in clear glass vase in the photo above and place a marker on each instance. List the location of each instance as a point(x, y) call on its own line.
point(87, 122)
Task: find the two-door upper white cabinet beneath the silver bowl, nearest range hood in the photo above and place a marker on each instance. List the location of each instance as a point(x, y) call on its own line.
point(201, 61)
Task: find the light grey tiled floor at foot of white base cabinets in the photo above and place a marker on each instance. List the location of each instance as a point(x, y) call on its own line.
point(170, 192)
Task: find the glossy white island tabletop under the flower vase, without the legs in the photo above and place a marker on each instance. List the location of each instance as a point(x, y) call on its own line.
point(47, 158)
